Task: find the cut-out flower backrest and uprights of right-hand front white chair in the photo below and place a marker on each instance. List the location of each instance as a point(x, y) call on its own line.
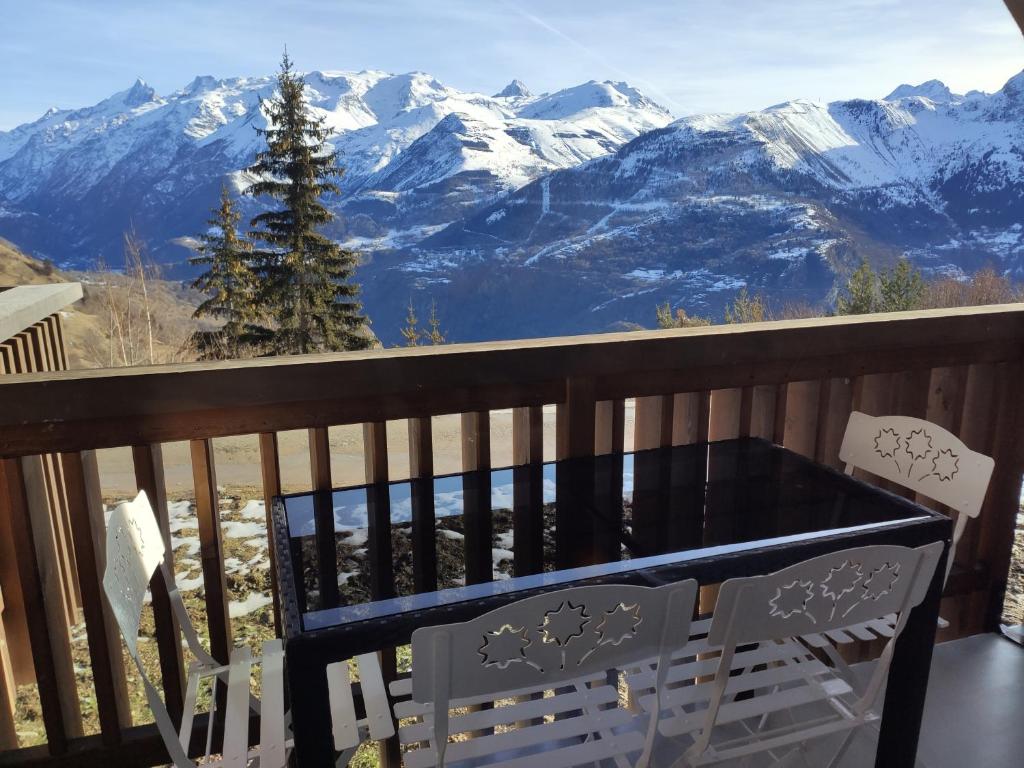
point(825, 593)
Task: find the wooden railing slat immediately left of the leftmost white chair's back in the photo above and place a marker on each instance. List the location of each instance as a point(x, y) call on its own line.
point(82, 477)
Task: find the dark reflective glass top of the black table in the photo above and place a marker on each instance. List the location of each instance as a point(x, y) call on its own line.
point(379, 550)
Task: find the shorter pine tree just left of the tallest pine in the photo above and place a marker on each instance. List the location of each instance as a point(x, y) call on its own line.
point(228, 281)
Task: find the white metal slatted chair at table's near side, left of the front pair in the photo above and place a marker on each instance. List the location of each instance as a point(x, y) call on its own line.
point(550, 665)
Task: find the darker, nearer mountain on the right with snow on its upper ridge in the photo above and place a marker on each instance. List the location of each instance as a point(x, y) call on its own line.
point(785, 200)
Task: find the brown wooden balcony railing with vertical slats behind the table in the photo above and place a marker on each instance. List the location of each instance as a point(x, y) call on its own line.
point(794, 382)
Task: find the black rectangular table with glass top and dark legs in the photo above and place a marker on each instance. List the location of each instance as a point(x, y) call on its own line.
point(360, 569)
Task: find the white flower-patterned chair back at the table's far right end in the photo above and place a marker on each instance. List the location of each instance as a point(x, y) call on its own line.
point(923, 457)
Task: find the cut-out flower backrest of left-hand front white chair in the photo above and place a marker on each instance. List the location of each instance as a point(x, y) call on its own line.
point(546, 641)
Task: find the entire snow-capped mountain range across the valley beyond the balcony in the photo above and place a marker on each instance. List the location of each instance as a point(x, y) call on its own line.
point(526, 216)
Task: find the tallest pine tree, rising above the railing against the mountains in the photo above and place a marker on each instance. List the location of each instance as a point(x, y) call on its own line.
point(307, 282)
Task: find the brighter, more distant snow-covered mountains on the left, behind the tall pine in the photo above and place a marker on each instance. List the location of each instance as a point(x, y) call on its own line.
point(416, 154)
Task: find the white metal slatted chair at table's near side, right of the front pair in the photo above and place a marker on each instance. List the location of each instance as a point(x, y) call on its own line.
point(763, 672)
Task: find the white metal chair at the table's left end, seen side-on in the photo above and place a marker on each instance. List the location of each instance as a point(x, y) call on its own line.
point(135, 552)
